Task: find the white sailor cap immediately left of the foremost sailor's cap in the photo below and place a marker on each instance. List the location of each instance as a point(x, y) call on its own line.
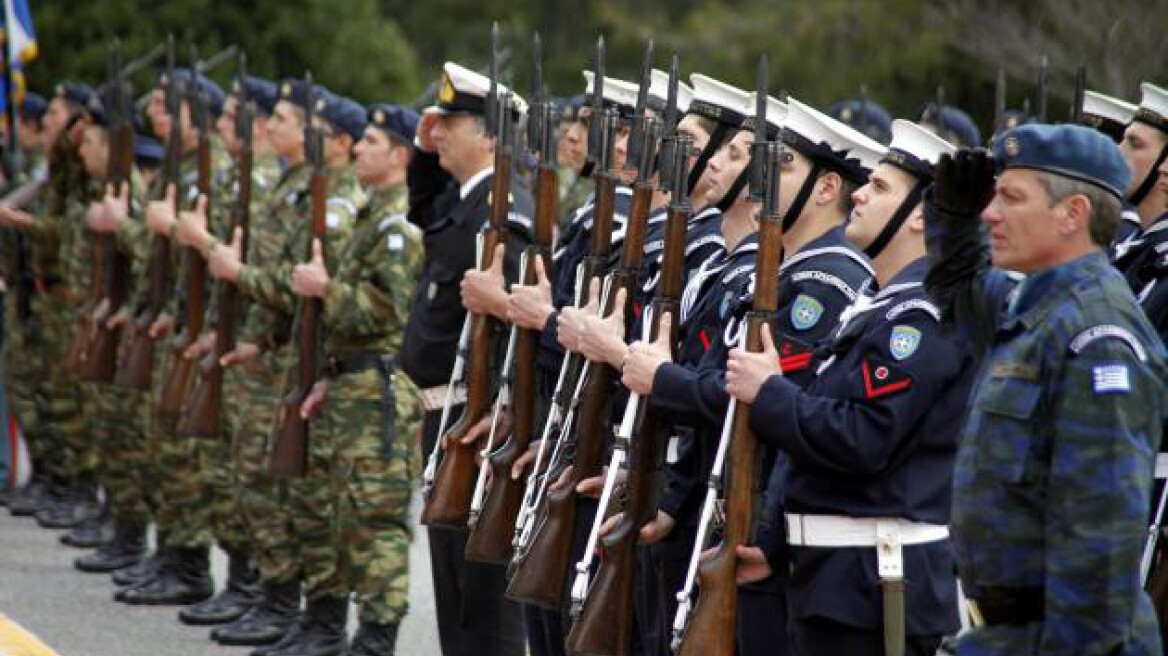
point(830, 143)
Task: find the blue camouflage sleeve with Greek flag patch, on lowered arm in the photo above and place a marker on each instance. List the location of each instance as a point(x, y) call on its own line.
point(1102, 460)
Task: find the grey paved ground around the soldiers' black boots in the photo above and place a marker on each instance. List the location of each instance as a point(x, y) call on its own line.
point(75, 615)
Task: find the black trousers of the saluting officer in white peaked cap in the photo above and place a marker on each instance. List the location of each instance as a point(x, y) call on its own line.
point(474, 617)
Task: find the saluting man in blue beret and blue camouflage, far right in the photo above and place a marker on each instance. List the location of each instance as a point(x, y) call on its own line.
point(1054, 472)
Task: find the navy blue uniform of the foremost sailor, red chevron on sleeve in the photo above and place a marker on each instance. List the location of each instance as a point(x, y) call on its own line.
point(874, 436)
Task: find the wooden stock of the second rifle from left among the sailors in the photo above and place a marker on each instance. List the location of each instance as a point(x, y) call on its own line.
point(491, 540)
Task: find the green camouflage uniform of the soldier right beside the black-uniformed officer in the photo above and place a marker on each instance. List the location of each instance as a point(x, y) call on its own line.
point(366, 308)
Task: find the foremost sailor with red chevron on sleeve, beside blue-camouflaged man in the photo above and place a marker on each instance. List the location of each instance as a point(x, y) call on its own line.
point(874, 417)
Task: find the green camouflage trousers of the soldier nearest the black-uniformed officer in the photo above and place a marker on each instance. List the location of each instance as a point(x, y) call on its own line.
point(374, 479)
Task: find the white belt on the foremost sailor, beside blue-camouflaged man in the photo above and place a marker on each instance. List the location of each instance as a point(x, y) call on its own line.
point(835, 532)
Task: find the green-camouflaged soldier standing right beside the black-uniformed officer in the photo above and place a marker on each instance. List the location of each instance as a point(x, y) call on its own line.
point(371, 410)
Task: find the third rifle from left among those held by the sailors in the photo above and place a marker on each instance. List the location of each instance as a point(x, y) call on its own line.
point(544, 553)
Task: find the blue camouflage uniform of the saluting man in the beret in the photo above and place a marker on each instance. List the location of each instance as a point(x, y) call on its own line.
point(1054, 472)
